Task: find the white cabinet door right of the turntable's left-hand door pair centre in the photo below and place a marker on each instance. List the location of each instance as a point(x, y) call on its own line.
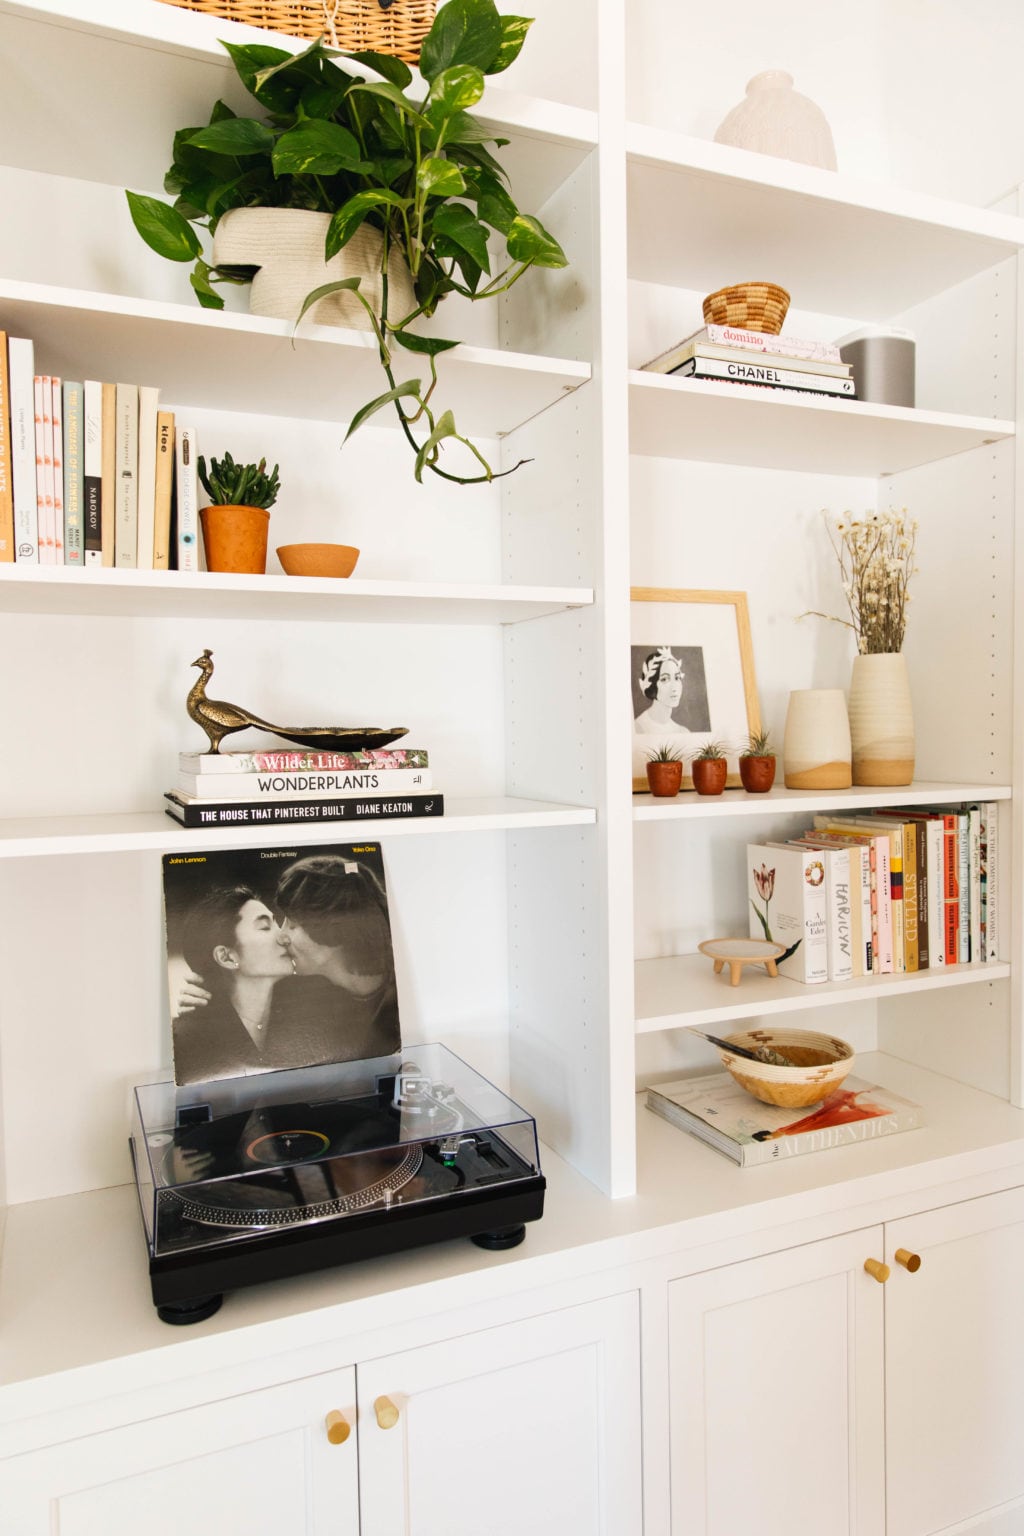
point(533, 1428)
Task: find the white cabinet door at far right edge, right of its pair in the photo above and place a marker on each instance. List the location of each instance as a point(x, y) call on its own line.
point(956, 1366)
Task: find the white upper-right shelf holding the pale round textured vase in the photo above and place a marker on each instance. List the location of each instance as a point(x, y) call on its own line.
point(695, 208)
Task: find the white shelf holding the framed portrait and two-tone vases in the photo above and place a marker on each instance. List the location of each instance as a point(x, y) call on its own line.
point(738, 803)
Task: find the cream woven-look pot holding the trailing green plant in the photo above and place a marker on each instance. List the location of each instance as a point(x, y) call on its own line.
point(288, 247)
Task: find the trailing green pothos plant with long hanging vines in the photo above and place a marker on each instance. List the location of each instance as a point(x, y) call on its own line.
point(368, 153)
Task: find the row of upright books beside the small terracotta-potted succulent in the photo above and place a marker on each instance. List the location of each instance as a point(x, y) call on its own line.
point(93, 474)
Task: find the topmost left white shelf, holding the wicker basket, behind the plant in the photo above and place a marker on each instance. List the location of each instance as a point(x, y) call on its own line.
point(165, 68)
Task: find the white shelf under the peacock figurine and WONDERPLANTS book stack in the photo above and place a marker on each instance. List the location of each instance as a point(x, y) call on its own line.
point(134, 832)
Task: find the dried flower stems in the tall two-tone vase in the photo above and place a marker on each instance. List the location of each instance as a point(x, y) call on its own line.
point(876, 557)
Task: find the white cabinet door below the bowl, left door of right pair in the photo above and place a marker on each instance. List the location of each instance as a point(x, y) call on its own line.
point(778, 1394)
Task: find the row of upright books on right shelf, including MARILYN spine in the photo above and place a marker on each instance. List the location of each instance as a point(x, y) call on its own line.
point(880, 895)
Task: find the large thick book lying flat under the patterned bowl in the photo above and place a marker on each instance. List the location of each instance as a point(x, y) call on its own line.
point(721, 1113)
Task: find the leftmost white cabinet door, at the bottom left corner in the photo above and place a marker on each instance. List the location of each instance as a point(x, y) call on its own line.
point(257, 1465)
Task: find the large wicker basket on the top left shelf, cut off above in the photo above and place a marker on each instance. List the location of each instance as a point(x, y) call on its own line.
point(395, 27)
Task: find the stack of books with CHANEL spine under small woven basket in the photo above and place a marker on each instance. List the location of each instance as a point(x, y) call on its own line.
point(753, 357)
